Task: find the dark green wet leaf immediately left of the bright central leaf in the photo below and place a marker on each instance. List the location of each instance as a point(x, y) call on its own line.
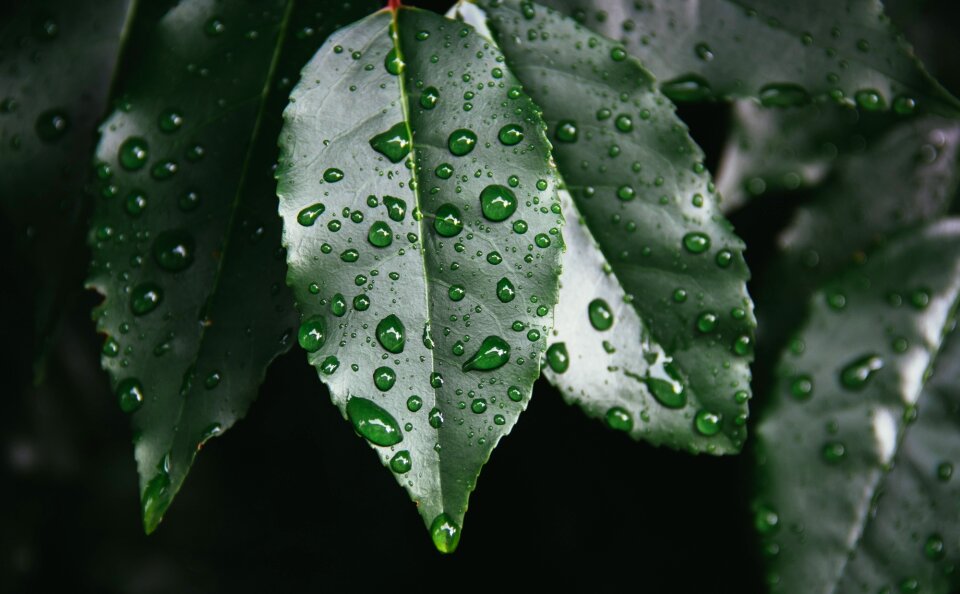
point(185, 236)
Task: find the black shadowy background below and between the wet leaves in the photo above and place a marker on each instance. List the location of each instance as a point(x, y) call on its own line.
point(291, 500)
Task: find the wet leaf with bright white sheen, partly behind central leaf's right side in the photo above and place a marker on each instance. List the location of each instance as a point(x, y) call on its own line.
point(655, 327)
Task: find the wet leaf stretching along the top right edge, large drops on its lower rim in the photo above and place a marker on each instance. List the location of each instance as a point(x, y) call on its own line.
point(783, 53)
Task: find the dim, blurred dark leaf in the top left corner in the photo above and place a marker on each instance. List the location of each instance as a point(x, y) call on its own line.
point(58, 59)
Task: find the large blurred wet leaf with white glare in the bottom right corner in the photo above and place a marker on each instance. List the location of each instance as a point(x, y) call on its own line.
point(832, 515)
